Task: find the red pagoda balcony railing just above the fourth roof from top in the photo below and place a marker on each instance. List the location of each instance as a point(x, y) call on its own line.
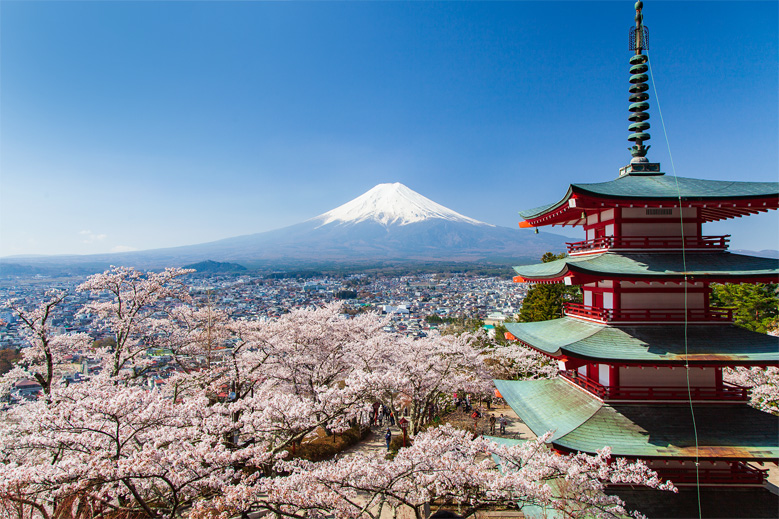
point(727, 392)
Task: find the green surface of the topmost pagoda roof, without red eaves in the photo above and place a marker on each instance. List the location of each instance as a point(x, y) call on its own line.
point(662, 187)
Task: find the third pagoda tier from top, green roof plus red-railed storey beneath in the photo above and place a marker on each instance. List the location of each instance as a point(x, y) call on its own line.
point(649, 363)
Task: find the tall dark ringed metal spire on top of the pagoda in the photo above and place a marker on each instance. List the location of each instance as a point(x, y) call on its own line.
point(638, 87)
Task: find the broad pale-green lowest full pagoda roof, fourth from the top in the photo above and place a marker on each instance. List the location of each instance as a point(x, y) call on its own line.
point(582, 423)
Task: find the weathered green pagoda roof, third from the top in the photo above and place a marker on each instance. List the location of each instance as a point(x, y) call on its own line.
point(709, 345)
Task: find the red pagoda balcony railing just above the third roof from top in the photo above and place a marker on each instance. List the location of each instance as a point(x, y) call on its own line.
point(663, 315)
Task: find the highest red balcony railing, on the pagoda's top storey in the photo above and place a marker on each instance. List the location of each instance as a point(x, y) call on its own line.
point(649, 242)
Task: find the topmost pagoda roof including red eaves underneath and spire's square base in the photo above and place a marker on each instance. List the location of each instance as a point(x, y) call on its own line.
point(710, 200)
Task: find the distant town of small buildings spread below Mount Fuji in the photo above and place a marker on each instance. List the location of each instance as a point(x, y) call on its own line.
point(416, 303)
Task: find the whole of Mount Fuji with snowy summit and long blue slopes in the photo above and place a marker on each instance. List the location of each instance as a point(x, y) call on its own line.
point(388, 222)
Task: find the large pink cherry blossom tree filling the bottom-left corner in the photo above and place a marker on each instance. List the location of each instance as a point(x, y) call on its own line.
point(100, 447)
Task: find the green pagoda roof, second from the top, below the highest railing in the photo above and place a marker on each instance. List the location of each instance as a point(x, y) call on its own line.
point(718, 265)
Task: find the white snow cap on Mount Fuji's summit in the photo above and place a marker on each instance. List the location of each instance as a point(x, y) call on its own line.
point(392, 204)
